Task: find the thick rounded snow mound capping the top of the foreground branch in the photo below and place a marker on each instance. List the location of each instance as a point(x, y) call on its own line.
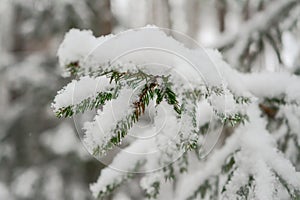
point(132, 47)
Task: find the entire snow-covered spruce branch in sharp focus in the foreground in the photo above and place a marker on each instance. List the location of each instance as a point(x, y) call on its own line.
point(253, 163)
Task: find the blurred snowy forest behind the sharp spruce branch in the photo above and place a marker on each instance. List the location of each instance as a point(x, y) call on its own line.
point(41, 157)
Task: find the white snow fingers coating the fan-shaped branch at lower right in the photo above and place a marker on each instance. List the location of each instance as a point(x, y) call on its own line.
point(257, 156)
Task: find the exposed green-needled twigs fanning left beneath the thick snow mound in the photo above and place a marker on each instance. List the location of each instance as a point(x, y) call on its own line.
point(156, 88)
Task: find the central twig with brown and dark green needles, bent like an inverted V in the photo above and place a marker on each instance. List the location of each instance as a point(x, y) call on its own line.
point(151, 89)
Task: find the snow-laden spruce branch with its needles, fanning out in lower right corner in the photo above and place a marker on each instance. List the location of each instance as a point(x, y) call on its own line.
point(255, 166)
